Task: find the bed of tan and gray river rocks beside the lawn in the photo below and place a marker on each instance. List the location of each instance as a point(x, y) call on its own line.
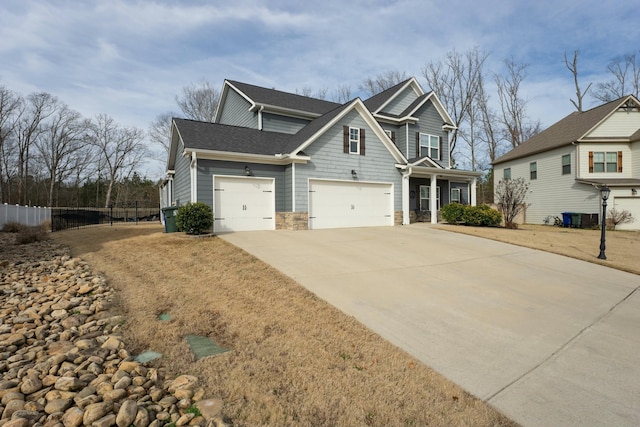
point(62, 359)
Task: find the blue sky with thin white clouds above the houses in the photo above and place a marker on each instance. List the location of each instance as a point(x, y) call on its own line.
point(129, 59)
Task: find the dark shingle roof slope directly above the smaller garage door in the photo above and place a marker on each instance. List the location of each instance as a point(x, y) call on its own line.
point(234, 139)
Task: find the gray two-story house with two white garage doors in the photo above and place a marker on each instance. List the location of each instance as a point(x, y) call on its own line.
point(277, 160)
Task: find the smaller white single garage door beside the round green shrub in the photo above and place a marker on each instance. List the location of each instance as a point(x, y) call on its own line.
point(243, 203)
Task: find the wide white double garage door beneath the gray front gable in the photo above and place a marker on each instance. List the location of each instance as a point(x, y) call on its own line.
point(338, 204)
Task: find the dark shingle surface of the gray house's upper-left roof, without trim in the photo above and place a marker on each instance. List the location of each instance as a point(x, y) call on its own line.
point(261, 95)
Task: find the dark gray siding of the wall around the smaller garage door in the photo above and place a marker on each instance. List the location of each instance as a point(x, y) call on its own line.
point(208, 168)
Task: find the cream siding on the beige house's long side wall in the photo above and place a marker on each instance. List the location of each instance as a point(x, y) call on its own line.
point(551, 193)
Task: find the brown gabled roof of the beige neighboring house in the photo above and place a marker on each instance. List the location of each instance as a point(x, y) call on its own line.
point(571, 129)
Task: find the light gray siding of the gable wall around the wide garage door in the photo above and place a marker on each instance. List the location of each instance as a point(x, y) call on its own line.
point(328, 161)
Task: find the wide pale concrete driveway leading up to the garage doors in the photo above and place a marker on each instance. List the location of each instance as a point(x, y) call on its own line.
point(548, 340)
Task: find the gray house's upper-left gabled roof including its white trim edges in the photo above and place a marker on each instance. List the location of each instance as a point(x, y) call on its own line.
point(278, 100)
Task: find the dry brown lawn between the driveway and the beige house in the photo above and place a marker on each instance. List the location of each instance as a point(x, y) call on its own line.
point(622, 247)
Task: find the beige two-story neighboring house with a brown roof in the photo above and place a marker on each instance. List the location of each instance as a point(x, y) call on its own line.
point(568, 163)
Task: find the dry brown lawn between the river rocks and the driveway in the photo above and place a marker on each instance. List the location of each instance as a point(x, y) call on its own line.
point(295, 360)
